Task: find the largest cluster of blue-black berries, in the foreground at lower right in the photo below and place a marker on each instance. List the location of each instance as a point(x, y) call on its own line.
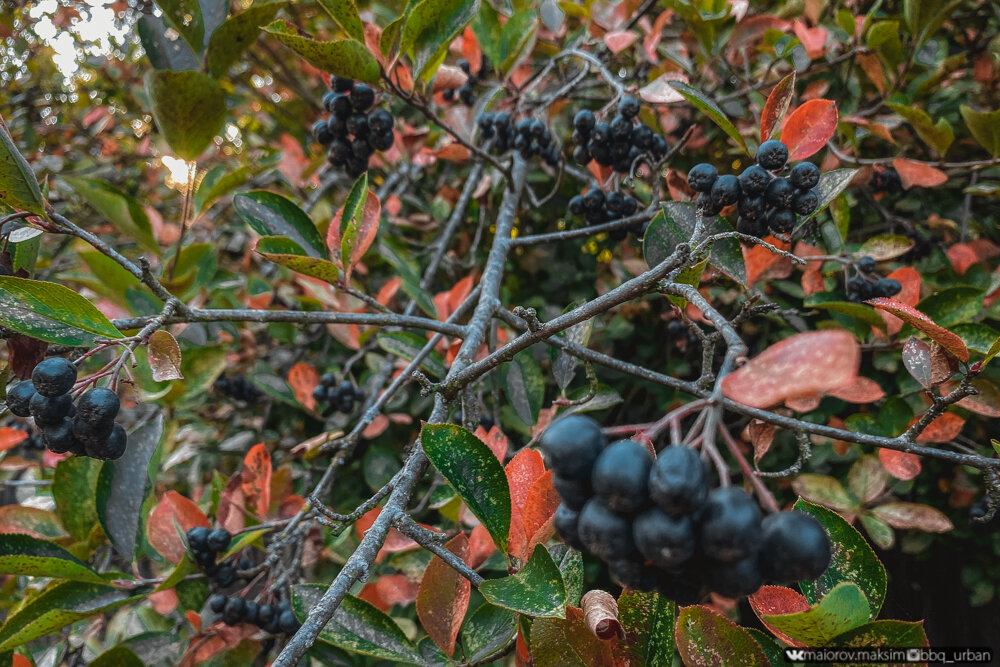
point(659, 525)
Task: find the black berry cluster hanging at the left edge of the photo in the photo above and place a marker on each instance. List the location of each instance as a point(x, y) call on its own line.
point(85, 429)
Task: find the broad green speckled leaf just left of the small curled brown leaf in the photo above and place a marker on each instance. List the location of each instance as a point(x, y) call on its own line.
point(537, 590)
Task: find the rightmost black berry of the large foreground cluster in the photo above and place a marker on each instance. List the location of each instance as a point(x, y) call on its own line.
point(795, 547)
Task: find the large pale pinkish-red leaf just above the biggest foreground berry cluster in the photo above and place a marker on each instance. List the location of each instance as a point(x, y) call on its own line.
point(818, 361)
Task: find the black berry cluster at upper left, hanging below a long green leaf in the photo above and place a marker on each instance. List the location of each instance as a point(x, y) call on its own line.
point(350, 134)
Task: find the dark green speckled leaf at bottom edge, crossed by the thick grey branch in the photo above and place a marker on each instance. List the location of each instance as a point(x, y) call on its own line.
point(358, 627)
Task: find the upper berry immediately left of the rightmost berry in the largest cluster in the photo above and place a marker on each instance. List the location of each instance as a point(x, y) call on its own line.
point(730, 527)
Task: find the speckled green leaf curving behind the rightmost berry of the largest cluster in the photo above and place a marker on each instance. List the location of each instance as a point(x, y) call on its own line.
point(853, 560)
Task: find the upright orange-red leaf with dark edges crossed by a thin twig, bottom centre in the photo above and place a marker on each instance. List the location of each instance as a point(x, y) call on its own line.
point(443, 597)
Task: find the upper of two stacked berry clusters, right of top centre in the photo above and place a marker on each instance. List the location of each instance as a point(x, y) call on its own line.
point(616, 144)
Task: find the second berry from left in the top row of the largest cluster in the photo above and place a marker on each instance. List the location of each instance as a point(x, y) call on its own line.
point(621, 474)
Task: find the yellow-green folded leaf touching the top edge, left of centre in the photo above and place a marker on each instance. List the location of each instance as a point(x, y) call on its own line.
point(430, 28)
